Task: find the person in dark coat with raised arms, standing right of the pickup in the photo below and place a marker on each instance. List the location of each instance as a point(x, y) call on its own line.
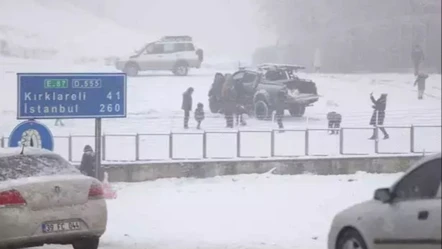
point(377, 119)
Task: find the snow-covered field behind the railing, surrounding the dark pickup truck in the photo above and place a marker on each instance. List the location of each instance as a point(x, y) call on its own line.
point(154, 102)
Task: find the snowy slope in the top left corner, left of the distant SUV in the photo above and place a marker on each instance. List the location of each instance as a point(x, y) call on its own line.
point(46, 29)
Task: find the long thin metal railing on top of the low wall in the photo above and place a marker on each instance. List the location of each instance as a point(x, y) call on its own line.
point(299, 142)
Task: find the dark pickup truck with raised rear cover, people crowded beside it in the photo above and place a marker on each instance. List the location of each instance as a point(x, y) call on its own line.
point(256, 89)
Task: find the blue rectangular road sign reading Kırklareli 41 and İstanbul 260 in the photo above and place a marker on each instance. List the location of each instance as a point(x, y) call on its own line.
point(71, 95)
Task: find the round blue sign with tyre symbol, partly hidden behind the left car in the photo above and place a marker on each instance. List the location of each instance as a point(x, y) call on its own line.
point(31, 134)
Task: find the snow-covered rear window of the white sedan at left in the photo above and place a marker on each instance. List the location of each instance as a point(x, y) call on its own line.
point(22, 166)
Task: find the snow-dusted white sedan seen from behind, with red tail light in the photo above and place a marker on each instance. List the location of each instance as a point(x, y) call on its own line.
point(46, 200)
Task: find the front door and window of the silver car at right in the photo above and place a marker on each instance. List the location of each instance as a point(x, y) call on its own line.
point(413, 218)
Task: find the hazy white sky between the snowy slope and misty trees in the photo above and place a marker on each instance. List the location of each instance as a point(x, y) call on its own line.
point(225, 27)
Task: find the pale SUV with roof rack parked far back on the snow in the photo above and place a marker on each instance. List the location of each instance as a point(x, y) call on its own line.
point(174, 53)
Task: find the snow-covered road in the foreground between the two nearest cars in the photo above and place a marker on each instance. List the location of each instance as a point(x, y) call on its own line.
point(233, 212)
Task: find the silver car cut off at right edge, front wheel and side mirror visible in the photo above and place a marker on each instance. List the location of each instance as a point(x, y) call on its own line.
point(405, 216)
